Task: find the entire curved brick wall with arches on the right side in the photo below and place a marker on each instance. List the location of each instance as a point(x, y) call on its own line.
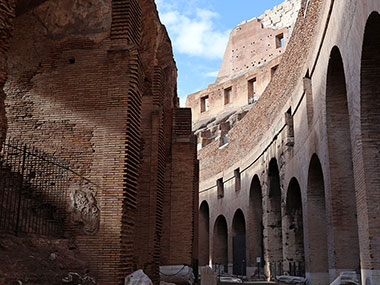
point(305, 157)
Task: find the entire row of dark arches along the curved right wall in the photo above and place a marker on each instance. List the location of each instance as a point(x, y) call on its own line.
point(323, 224)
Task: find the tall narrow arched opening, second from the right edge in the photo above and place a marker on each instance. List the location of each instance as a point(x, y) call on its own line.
point(346, 241)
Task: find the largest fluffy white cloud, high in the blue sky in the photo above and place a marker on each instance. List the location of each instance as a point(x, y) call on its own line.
point(194, 34)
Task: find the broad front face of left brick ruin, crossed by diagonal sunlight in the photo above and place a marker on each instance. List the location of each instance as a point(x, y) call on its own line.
point(69, 92)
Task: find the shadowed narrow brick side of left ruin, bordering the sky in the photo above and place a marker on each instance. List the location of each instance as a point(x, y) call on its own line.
point(168, 145)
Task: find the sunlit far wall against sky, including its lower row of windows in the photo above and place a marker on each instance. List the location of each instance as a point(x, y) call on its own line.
point(251, 52)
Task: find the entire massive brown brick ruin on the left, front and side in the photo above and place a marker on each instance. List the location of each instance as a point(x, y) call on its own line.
point(95, 82)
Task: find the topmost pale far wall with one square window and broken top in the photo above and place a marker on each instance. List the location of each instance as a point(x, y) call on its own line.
point(253, 43)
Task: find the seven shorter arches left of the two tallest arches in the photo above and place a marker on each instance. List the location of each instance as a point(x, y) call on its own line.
point(271, 233)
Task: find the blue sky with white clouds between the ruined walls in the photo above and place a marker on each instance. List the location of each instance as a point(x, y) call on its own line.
point(199, 31)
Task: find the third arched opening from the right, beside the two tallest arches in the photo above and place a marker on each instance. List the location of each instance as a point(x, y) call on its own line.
point(317, 263)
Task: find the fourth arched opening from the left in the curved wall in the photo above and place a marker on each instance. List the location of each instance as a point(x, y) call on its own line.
point(255, 229)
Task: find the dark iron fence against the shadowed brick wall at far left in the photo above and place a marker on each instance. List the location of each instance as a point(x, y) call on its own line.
point(32, 190)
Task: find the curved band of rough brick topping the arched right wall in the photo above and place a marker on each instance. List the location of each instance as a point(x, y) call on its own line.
point(264, 114)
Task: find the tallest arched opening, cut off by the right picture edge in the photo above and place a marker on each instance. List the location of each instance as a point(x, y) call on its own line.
point(370, 141)
